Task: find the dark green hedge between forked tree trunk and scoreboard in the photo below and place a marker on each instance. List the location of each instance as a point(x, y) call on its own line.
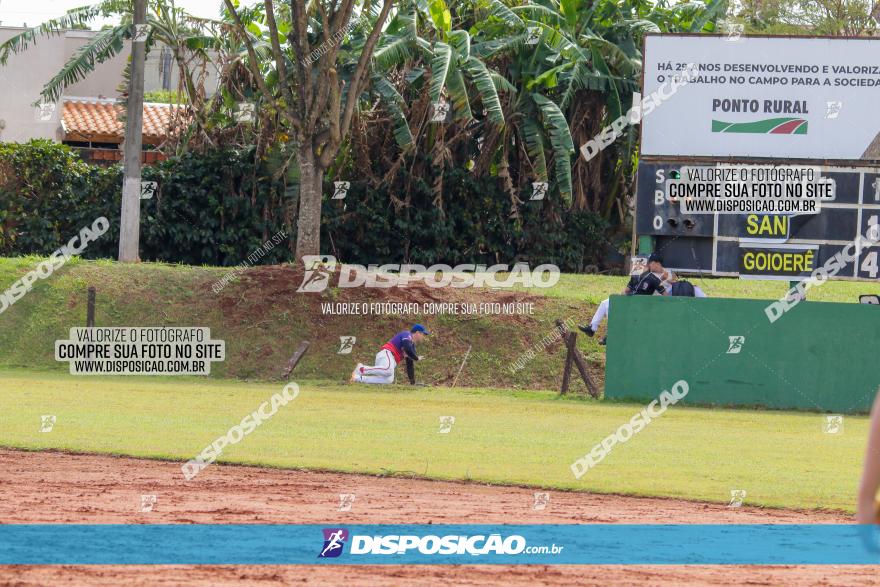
point(474, 226)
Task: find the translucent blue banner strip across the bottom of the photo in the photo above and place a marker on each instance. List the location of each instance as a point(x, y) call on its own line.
point(370, 544)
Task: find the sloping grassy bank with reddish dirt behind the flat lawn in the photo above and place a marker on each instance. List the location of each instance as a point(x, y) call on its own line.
point(263, 319)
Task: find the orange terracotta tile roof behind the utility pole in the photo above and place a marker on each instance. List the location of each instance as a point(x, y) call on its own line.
point(102, 118)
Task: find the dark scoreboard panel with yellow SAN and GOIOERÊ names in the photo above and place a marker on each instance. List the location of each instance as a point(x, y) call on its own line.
point(765, 246)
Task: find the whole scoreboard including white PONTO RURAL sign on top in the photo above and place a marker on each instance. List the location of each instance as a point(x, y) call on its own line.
point(787, 104)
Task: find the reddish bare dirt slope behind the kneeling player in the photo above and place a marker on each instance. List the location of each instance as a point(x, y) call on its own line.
point(266, 301)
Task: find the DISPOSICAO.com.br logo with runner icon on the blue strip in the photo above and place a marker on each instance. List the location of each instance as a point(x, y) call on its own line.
point(451, 544)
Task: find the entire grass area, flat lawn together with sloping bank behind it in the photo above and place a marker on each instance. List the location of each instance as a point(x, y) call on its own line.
point(507, 430)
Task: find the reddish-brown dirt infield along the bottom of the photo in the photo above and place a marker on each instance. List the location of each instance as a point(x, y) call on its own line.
point(44, 487)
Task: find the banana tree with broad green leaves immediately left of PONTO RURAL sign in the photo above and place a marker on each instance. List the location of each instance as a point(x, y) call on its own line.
point(586, 64)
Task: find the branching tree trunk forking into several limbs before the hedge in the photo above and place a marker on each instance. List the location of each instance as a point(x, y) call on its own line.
point(312, 99)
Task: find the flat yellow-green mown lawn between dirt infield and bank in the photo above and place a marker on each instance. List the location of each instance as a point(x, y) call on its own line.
point(500, 436)
